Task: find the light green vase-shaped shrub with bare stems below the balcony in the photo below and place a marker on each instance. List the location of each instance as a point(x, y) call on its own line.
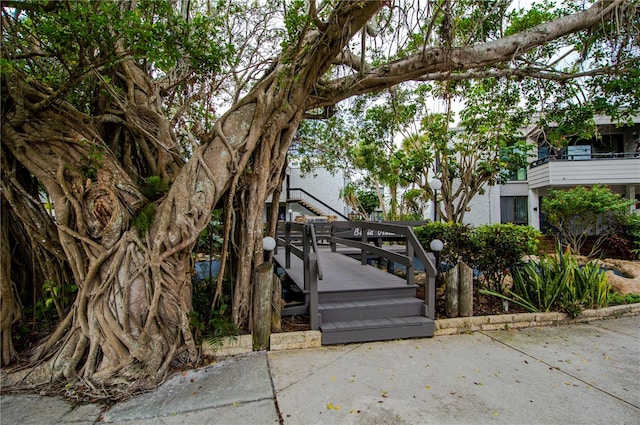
point(580, 212)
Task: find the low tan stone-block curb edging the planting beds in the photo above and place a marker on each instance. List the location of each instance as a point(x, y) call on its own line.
point(312, 339)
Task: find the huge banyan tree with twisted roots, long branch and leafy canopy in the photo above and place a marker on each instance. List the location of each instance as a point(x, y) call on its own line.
point(135, 119)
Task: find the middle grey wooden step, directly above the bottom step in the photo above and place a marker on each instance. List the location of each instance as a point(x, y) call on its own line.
point(377, 308)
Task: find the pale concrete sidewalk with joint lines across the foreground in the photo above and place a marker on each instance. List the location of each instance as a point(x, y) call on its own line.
point(574, 374)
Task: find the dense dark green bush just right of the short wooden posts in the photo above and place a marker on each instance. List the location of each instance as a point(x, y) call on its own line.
point(501, 247)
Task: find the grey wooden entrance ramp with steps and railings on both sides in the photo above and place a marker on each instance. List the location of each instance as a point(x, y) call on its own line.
point(351, 301)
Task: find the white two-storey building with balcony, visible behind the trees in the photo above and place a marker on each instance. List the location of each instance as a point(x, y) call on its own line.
point(612, 159)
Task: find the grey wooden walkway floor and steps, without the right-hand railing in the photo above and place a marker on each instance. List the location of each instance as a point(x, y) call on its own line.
point(356, 302)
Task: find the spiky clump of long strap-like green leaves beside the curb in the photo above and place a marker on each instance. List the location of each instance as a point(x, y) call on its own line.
point(557, 282)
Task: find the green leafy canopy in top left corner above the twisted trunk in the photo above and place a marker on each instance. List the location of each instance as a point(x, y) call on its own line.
point(76, 37)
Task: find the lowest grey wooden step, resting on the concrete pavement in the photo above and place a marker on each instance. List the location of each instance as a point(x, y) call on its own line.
point(376, 329)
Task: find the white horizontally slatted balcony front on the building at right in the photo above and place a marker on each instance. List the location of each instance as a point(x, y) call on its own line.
point(585, 169)
